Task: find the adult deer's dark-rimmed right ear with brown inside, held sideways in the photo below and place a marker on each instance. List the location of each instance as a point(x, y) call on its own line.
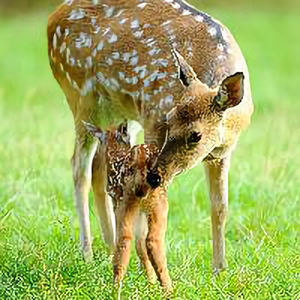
point(231, 91)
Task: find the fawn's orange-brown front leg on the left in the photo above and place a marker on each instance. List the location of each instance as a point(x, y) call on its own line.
point(126, 216)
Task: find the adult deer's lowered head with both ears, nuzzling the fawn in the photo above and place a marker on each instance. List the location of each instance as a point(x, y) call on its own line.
point(195, 126)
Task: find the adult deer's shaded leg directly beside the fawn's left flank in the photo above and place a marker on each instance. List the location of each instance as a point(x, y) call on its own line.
point(102, 201)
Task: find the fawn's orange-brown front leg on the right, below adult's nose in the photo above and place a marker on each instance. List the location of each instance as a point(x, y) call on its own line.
point(157, 213)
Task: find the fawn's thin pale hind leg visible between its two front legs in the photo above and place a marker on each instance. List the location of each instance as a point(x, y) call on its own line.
point(140, 245)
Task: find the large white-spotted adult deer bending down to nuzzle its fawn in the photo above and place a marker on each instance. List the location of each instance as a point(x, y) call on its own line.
point(159, 63)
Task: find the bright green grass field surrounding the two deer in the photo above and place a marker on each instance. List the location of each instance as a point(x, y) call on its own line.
point(39, 257)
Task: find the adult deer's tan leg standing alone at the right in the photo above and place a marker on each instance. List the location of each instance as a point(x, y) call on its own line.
point(217, 177)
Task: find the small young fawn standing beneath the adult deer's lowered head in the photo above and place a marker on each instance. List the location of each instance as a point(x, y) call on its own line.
point(127, 177)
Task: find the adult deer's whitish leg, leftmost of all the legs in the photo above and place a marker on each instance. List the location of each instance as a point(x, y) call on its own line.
point(82, 167)
